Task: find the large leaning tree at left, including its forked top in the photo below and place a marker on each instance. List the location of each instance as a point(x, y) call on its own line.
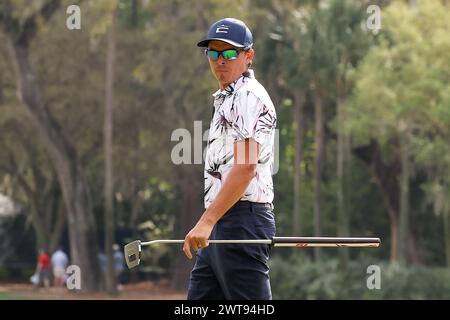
point(20, 29)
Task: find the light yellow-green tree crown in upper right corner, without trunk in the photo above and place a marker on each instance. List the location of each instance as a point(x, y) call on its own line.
point(404, 79)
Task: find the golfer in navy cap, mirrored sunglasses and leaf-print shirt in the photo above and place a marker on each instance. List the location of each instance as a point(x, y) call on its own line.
point(238, 175)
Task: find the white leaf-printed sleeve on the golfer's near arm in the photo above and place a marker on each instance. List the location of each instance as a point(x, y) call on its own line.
point(251, 118)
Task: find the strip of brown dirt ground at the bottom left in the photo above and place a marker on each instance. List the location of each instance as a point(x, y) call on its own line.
point(137, 291)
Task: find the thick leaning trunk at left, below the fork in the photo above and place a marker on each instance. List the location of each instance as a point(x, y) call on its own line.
point(82, 230)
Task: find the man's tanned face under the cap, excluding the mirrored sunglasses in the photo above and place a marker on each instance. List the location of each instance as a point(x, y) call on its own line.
point(227, 71)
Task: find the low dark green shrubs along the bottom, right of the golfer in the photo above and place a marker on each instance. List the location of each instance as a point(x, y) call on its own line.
point(299, 278)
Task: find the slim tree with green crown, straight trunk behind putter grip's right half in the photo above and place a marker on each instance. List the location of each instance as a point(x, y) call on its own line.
point(349, 43)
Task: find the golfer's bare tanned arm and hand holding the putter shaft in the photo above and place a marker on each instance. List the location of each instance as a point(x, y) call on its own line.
point(246, 154)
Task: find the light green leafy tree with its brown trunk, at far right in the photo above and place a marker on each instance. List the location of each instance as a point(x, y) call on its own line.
point(390, 106)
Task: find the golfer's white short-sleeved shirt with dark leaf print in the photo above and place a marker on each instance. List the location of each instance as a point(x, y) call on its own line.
point(242, 110)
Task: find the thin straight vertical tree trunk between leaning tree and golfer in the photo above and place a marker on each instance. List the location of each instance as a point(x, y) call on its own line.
point(111, 285)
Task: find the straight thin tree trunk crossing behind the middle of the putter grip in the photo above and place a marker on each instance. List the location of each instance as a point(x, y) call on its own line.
point(318, 141)
